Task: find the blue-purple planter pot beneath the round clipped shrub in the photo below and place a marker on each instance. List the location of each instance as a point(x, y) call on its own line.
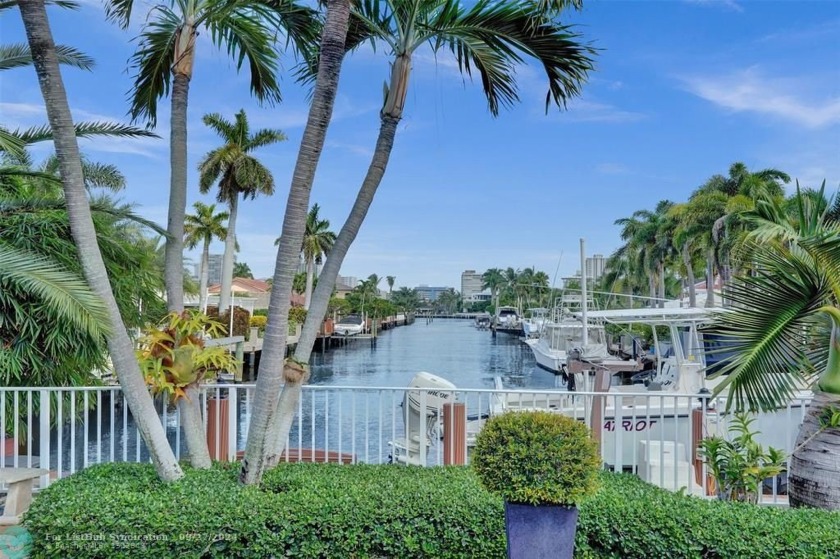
point(540, 531)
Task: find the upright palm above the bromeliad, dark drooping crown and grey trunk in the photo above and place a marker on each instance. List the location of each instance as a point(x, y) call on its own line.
point(165, 57)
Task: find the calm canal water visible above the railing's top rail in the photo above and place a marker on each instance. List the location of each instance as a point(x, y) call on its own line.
point(452, 349)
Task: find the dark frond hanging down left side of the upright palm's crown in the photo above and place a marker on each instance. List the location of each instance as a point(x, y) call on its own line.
point(152, 61)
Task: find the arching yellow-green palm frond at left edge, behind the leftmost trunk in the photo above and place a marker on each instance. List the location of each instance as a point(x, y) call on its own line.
point(66, 293)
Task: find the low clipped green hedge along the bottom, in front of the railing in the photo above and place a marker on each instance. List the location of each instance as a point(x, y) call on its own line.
point(306, 510)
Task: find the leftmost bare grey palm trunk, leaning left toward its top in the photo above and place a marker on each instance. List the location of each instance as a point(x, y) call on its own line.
point(134, 388)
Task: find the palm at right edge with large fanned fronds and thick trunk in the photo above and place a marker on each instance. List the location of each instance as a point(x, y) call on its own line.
point(774, 336)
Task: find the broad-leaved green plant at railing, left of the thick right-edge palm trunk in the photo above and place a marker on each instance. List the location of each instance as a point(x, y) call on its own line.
point(740, 465)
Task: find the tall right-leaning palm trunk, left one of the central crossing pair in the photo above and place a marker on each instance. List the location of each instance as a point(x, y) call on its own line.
point(271, 373)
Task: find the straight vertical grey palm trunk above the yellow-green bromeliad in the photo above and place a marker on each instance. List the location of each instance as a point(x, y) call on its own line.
point(174, 254)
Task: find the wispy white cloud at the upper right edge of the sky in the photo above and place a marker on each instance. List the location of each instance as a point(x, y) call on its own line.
point(750, 91)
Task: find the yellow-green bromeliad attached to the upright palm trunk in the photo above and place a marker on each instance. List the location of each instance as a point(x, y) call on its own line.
point(173, 356)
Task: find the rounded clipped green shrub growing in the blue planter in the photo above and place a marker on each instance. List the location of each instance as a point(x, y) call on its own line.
point(537, 457)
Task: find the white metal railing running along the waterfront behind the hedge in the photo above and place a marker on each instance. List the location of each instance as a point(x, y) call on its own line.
point(651, 434)
